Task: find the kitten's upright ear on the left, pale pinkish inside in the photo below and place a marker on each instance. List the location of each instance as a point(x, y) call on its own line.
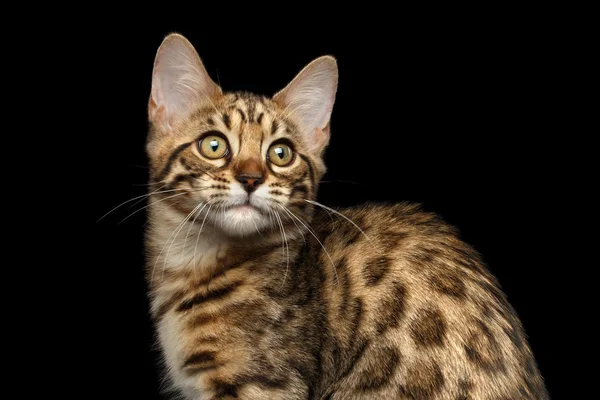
point(179, 82)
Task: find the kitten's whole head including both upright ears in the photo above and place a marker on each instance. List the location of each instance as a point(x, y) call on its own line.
point(237, 161)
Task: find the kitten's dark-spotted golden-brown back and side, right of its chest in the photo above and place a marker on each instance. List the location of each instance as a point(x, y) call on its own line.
point(415, 312)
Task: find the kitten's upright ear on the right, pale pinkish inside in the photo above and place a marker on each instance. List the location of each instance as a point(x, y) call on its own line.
point(310, 97)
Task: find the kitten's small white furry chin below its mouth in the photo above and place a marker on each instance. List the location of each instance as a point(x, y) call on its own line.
point(243, 220)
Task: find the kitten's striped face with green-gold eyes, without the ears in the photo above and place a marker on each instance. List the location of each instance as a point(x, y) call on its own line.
point(242, 161)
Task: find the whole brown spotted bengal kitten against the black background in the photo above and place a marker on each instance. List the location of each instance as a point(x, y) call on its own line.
point(259, 292)
